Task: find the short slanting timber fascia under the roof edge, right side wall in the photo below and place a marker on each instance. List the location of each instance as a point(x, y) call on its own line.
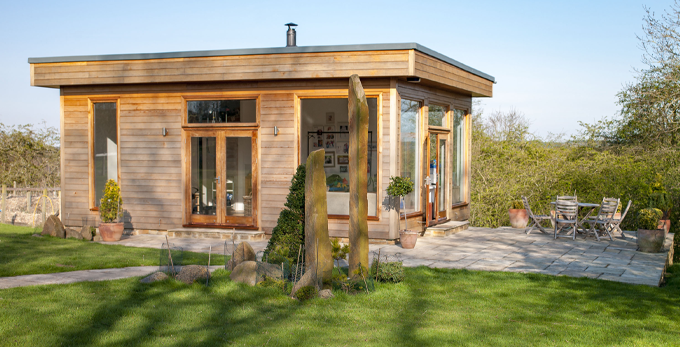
point(433, 69)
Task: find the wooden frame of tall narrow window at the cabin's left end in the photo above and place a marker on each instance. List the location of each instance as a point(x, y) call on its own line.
point(90, 146)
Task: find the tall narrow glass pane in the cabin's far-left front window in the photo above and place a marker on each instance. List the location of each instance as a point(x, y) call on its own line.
point(105, 147)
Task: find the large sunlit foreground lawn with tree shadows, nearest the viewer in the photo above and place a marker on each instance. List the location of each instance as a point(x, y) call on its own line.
point(431, 308)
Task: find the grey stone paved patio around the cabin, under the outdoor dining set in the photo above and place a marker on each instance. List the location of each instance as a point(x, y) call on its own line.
point(502, 249)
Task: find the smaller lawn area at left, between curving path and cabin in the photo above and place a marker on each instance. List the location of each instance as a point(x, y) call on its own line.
point(23, 254)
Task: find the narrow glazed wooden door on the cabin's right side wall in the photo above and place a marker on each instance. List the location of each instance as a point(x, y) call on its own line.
point(435, 185)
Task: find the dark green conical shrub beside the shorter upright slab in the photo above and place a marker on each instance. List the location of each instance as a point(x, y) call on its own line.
point(289, 232)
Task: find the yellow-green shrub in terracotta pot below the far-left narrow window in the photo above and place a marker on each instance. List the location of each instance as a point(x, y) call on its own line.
point(111, 227)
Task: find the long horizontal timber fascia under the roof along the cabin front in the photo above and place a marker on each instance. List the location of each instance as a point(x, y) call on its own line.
point(227, 68)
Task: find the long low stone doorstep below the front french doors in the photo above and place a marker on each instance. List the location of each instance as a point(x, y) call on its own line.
point(207, 233)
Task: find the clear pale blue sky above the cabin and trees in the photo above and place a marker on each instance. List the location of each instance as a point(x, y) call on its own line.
point(558, 62)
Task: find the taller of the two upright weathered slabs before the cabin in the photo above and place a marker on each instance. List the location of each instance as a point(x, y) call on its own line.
point(358, 177)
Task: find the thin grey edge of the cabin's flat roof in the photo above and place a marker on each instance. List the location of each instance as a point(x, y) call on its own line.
point(259, 51)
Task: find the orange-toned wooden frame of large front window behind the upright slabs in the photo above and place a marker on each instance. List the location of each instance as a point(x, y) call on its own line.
point(344, 94)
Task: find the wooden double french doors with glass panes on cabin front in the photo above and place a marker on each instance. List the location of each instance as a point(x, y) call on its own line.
point(221, 177)
